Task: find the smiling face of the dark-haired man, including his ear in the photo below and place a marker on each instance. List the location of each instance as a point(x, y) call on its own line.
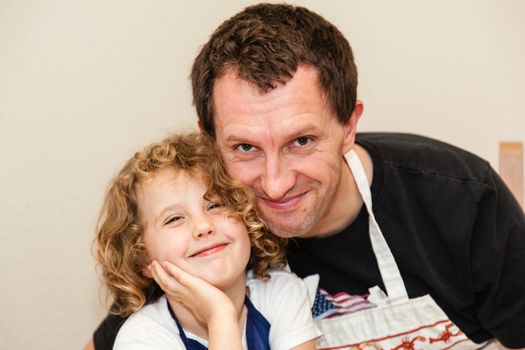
point(288, 146)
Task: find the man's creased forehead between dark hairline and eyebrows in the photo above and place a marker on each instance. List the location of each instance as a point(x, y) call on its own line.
point(243, 113)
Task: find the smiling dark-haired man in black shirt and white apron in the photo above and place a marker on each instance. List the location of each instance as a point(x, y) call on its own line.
point(438, 232)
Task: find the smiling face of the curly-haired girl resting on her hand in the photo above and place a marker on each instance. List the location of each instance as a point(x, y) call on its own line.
point(196, 234)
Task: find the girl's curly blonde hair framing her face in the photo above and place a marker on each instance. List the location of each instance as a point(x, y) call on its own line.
point(119, 245)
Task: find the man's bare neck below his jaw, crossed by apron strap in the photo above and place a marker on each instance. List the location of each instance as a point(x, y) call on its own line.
point(347, 201)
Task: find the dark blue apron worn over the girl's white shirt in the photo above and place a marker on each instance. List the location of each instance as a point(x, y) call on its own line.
point(257, 330)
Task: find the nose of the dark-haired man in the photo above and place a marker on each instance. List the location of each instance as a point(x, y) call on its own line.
point(278, 179)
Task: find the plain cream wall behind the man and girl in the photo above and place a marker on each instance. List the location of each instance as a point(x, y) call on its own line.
point(84, 83)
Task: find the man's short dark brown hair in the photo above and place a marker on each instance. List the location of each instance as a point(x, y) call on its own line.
point(264, 44)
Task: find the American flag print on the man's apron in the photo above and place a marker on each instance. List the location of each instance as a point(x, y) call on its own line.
point(327, 305)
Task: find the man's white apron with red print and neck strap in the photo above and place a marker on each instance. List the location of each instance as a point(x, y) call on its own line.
point(397, 322)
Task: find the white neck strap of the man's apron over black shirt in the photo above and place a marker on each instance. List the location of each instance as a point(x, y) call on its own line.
point(394, 285)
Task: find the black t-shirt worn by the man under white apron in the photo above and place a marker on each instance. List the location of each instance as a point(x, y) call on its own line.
point(455, 231)
